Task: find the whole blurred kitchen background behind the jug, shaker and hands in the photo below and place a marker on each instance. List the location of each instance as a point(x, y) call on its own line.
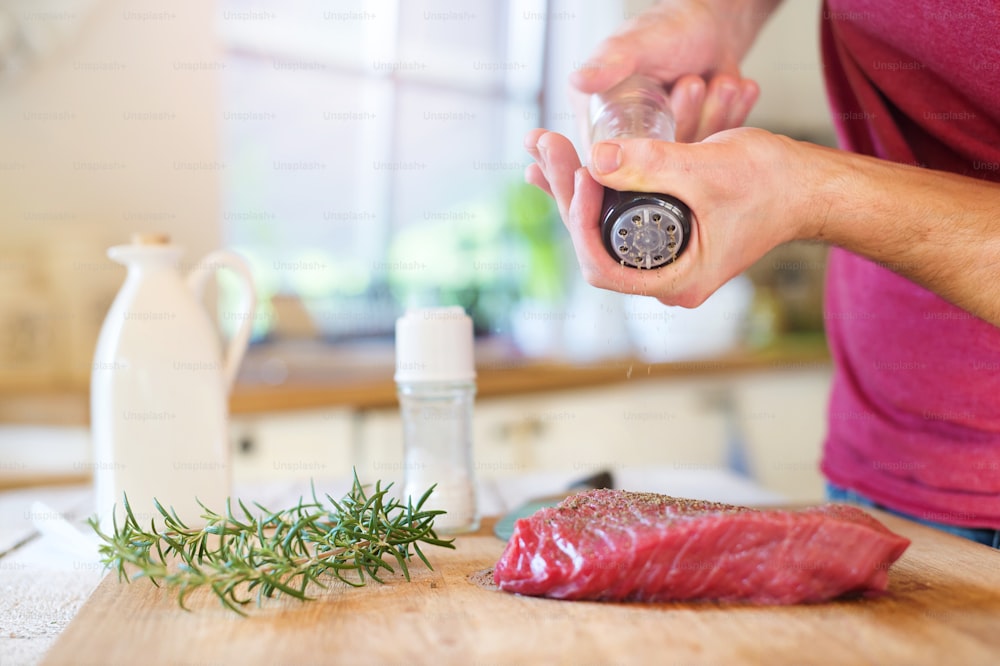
point(364, 156)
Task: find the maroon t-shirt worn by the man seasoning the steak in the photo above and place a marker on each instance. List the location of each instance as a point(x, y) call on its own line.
point(914, 417)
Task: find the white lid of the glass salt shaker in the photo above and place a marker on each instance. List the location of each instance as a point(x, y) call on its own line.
point(434, 345)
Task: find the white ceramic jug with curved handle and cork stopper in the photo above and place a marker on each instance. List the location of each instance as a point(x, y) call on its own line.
point(160, 385)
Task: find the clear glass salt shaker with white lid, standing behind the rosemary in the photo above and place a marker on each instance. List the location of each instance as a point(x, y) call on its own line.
point(435, 380)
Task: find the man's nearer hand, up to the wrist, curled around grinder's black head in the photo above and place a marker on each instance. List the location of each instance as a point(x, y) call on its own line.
point(736, 184)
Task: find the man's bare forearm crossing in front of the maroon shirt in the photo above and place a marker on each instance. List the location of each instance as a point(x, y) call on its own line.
point(939, 229)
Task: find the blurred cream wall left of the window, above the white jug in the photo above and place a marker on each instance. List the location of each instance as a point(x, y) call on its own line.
point(113, 131)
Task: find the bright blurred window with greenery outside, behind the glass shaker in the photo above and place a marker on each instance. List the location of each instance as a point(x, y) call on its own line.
point(373, 153)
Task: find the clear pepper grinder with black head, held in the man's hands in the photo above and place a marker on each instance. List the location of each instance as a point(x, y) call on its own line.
point(640, 229)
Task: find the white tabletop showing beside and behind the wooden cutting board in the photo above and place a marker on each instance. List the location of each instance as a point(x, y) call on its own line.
point(49, 568)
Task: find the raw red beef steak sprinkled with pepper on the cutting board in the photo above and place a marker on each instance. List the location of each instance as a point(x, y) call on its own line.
point(618, 545)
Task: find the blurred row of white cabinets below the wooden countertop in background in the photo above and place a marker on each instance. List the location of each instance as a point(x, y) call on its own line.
point(774, 417)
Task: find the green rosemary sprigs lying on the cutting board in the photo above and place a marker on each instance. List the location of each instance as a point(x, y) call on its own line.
point(271, 552)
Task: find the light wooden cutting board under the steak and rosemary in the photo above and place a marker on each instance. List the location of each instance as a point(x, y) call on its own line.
point(943, 607)
